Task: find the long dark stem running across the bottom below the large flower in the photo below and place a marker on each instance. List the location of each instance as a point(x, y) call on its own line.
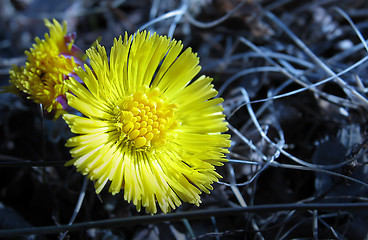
point(200, 214)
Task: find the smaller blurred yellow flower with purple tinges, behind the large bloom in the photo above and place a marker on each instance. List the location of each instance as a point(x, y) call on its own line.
point(49, 63)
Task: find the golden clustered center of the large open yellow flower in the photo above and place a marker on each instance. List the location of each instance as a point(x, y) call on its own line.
point(145, 120)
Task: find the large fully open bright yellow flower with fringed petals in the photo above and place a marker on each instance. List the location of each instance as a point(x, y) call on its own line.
point(146, 127)
